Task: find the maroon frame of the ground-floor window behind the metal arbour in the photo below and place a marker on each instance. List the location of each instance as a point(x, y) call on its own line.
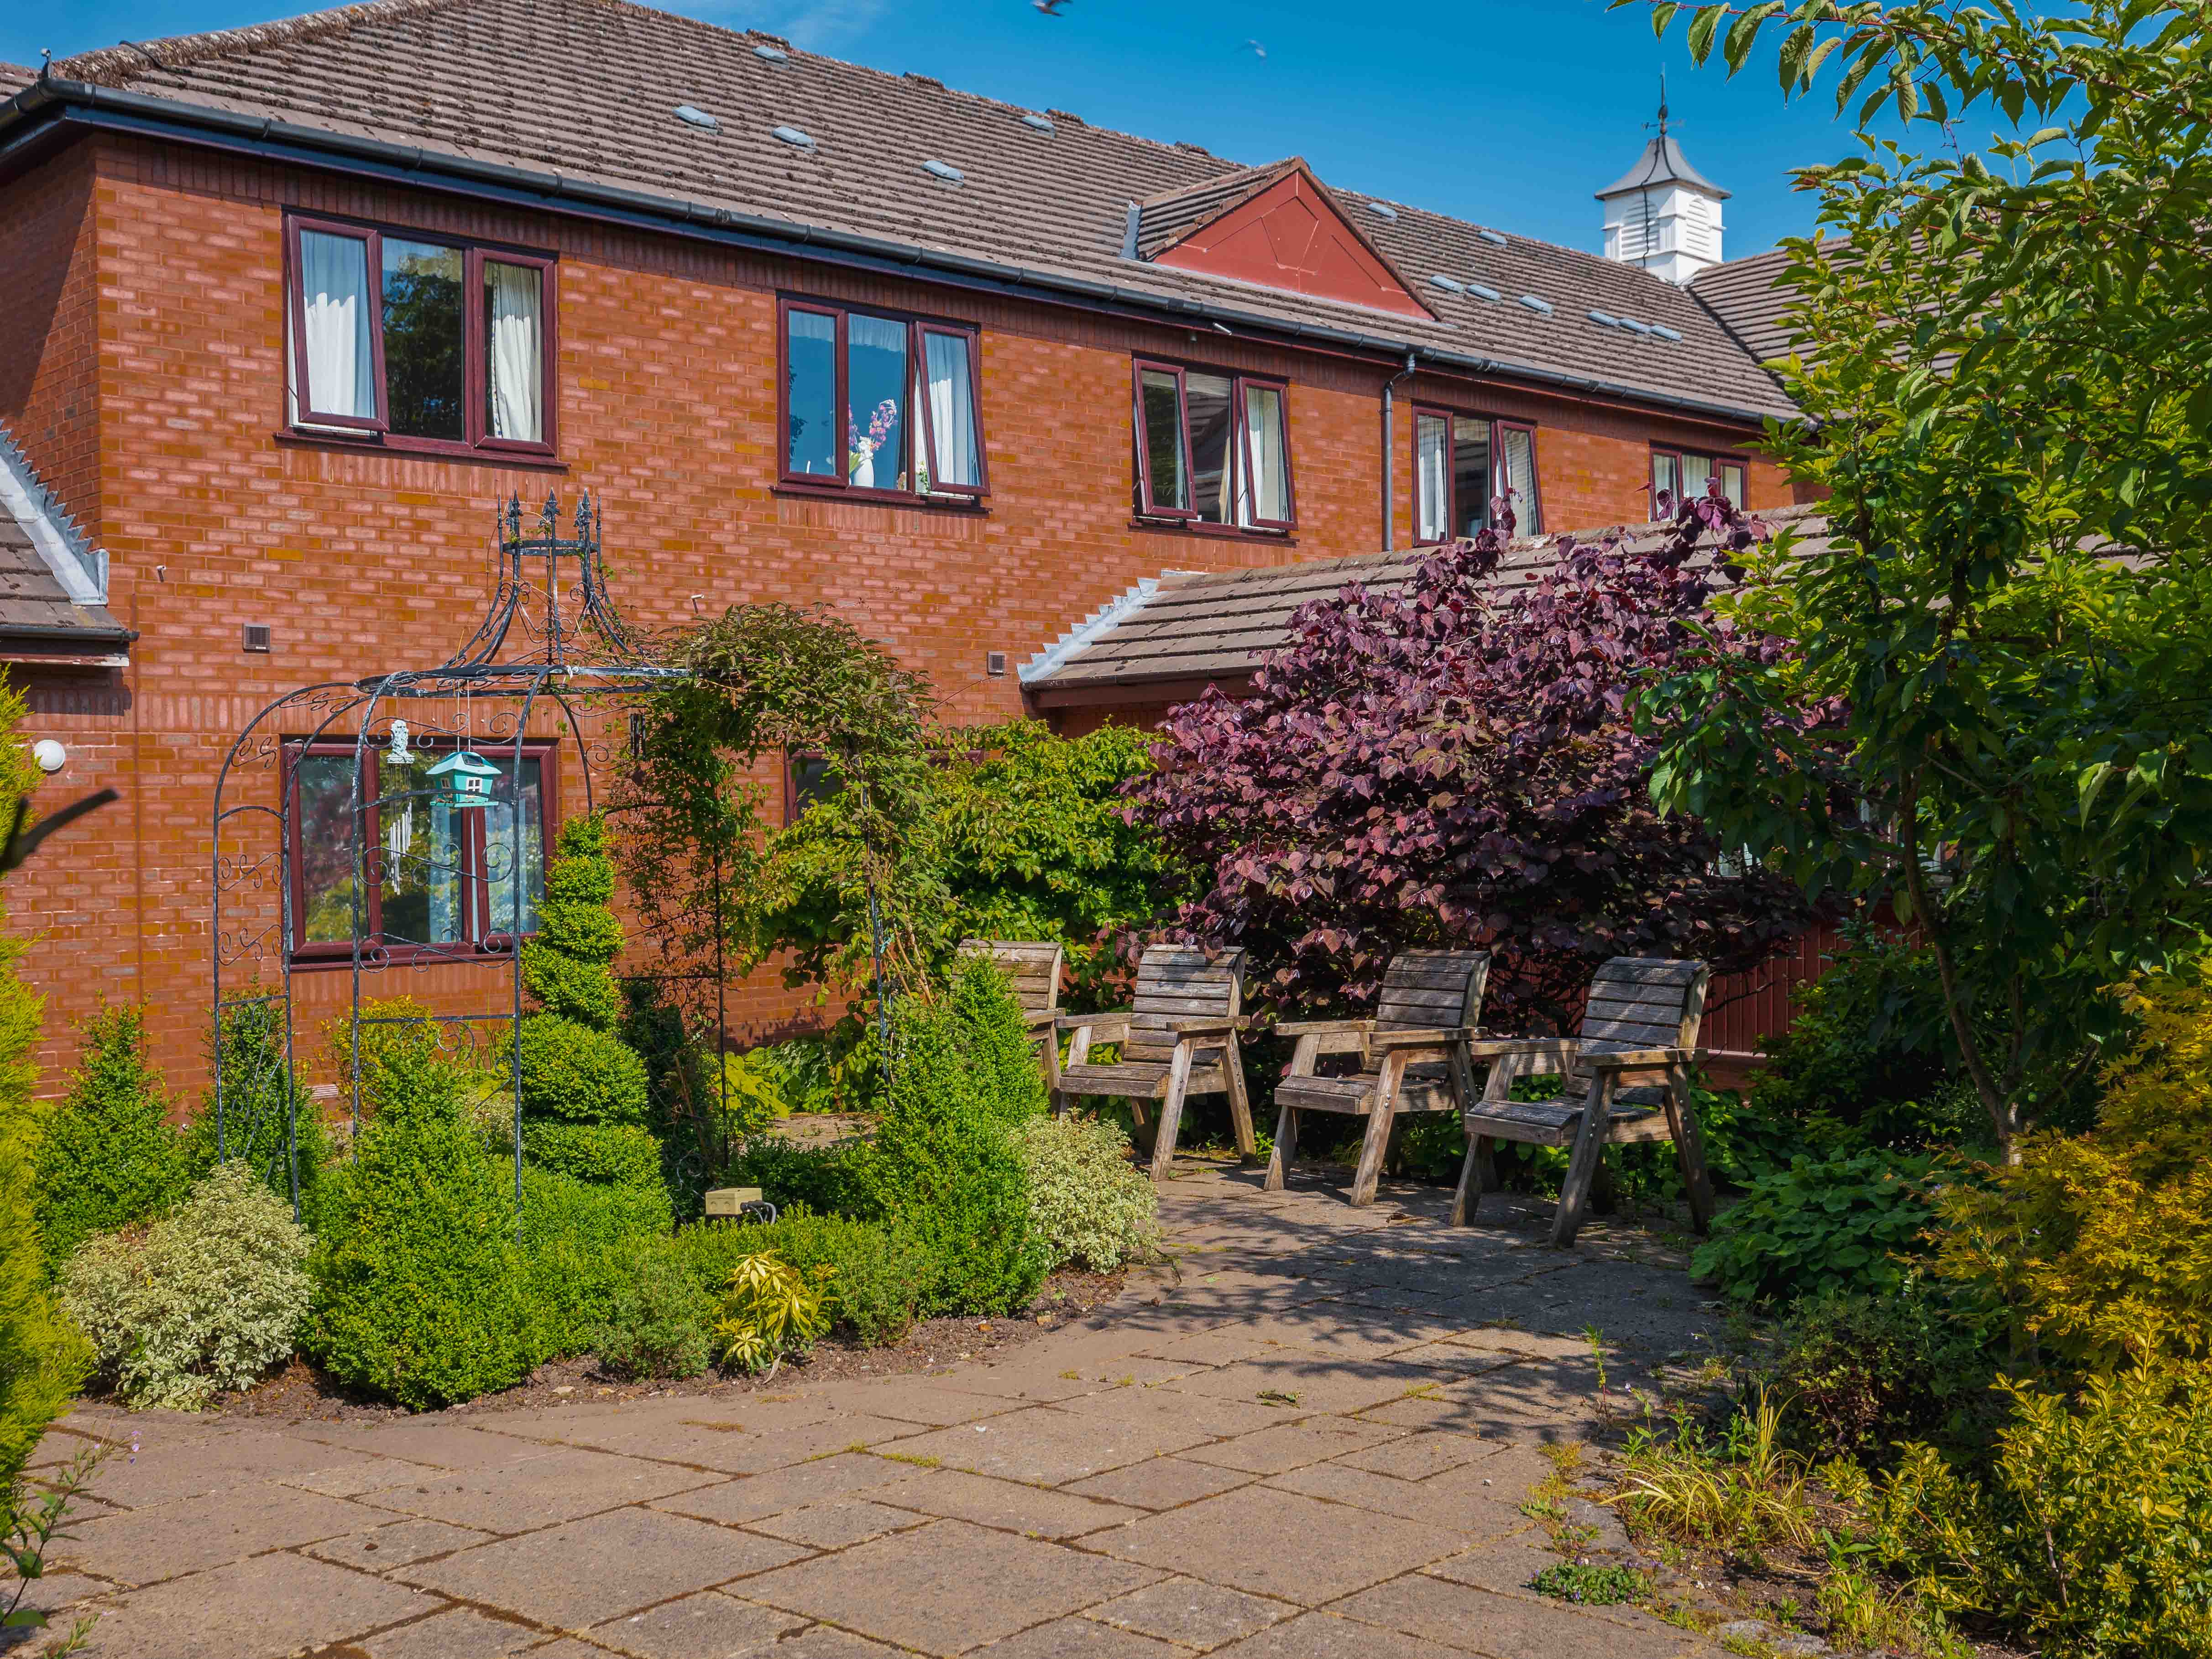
point(477, 886)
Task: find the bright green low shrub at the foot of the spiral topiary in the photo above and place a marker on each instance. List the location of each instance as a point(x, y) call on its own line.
point(572, 1240)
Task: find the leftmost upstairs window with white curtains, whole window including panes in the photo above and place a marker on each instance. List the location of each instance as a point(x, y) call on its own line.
point(421, 342)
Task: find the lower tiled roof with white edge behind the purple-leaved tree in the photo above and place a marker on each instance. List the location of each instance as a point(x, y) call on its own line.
point(1196, 627)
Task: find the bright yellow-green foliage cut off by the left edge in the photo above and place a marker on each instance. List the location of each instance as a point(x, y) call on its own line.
point(43, 1359)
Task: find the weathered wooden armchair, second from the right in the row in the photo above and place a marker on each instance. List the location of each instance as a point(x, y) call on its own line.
point(1412, 1061)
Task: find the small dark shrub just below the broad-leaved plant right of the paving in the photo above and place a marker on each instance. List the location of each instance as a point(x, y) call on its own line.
point(1861, 1375)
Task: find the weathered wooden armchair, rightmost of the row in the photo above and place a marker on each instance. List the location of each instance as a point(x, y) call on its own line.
point(1627, 1078)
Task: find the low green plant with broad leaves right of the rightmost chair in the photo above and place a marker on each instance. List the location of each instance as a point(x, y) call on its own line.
point(1822, 1227)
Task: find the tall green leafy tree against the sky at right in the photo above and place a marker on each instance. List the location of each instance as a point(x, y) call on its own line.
point(2007, 629)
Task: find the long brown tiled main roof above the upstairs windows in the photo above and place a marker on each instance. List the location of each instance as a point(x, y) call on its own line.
point(587, 90)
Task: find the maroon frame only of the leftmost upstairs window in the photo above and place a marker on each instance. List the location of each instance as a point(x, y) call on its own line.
point(474, 344)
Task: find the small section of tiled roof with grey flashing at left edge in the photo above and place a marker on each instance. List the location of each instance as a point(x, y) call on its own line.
point(52, 583)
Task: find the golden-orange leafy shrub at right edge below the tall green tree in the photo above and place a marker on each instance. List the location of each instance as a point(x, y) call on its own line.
point(2103, 1244)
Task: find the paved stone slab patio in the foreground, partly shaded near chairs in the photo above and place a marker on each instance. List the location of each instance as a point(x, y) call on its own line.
point(1114, 1490)
